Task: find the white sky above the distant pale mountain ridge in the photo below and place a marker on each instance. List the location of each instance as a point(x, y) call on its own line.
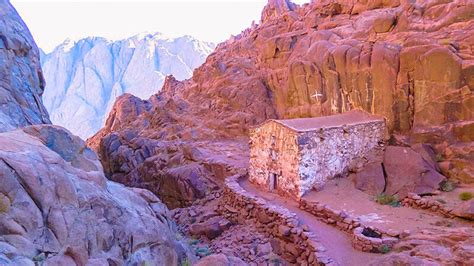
point(53, 21)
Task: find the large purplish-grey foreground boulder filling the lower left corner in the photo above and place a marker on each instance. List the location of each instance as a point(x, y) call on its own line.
point(56, 206)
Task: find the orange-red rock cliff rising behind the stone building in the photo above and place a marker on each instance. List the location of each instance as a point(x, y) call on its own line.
point(410, 61)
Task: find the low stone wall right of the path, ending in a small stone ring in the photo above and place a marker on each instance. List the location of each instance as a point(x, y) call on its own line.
point(344, 222)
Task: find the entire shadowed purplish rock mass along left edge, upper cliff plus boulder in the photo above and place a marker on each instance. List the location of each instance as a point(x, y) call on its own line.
point(56, 206)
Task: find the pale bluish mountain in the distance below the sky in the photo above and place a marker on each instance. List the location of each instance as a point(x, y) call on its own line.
point(84, 77)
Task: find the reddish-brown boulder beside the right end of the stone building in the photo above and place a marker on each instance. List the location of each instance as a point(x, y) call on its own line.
point(407, 172)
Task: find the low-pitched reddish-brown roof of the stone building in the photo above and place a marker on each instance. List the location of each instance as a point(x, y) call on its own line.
point(316, 123)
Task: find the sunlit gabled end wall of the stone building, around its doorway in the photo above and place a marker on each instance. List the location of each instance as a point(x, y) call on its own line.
point(279, 156)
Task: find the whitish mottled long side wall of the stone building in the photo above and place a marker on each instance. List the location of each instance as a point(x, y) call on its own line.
point(334, 151)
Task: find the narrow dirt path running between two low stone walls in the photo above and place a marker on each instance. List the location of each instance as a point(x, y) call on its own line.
point(336, 242)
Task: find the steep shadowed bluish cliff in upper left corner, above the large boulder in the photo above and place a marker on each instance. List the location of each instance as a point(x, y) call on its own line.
point(21, 78)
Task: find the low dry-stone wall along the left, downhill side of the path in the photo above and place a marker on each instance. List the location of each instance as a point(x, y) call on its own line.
point(290, 240)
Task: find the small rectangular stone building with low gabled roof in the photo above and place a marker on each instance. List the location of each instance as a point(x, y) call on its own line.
point(293, 156)
